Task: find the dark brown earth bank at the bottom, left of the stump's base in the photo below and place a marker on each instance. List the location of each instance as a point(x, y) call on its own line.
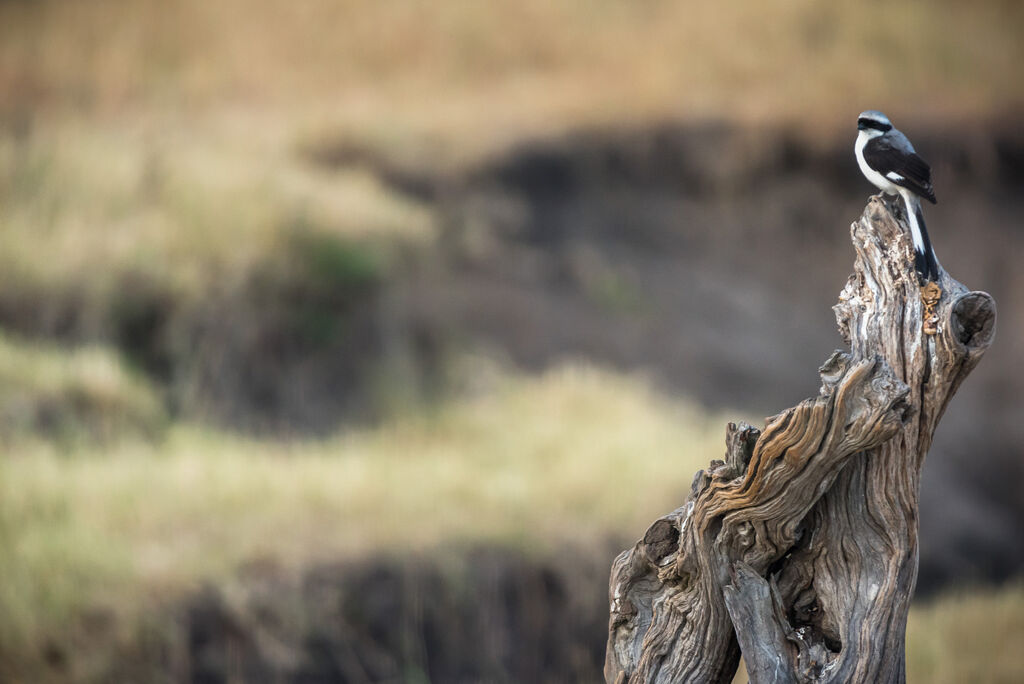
point(486, 616)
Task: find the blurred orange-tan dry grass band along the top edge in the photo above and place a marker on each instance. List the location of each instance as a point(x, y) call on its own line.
point(463, 71)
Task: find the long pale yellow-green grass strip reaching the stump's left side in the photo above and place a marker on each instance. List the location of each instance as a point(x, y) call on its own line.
point(527, 463)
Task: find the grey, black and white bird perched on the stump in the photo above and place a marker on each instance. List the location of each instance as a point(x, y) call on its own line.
point(888, 160)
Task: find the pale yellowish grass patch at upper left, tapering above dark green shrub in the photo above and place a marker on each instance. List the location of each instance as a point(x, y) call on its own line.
point(87, 204)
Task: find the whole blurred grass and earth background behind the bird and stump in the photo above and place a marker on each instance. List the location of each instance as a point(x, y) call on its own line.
point(350, 341)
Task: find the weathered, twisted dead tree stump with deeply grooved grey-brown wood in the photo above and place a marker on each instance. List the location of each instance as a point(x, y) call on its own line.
point(800, 549)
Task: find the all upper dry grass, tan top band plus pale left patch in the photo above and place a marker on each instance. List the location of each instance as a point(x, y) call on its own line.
point(161, 139)
